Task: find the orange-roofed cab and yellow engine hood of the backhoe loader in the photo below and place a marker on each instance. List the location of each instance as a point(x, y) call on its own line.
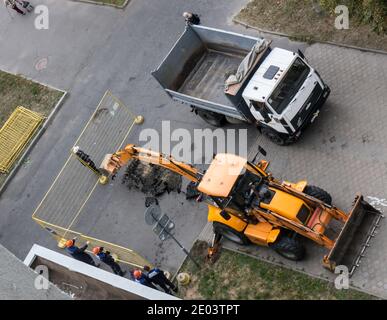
point(236, 189)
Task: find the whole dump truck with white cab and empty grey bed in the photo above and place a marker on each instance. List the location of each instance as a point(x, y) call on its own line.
point(224, 76)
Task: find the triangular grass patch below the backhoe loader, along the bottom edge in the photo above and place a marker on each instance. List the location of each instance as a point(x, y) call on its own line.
point(237, 276)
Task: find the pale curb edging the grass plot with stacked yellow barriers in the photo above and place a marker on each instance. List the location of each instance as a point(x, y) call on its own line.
point(37, 136)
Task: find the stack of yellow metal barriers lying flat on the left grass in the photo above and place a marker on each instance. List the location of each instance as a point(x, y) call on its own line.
point(16, 134)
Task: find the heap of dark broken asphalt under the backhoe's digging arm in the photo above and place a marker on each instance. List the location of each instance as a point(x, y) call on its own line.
point(150, 179)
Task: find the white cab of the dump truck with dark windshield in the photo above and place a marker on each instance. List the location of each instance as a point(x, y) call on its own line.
point(282, 92)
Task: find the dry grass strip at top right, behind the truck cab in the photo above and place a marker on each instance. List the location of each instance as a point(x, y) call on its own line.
point(306, 20)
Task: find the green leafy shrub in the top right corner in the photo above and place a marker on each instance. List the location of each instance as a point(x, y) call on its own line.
point(372, 12)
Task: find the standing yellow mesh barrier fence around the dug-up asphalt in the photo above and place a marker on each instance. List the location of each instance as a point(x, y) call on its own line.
point(67, 198)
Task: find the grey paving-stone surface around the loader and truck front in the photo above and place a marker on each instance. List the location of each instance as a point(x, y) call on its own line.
point(344, 152)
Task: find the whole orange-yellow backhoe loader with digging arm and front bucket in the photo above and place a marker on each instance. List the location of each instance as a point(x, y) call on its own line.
point(246, 204)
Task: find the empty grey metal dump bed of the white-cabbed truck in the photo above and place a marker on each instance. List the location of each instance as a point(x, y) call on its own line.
point(195, 69)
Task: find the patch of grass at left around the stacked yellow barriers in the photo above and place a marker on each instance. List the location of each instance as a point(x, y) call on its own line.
point(17, 91)
